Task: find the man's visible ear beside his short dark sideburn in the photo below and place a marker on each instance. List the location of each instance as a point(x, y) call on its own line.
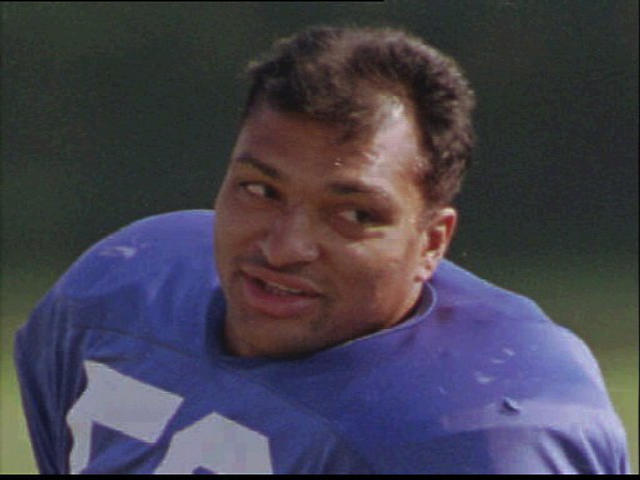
point(437, 237)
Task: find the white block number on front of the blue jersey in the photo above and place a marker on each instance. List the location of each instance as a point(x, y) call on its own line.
point(142, 411)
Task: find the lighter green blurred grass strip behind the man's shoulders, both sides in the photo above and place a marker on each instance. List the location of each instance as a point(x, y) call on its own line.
point(599, 302)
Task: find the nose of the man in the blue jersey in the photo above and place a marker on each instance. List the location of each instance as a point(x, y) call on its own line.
point(290, 239)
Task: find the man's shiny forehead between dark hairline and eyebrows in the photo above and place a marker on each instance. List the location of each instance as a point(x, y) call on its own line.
point(296, 142)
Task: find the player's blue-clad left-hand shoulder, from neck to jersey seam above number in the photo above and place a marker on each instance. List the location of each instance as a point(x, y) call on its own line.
point(154, 279)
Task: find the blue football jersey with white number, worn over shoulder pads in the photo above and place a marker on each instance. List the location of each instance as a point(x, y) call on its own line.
point(122, 369)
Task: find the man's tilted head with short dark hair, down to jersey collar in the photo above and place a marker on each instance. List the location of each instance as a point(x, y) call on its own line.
point(336, 205)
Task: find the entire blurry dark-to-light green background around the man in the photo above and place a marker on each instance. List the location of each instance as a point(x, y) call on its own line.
point(116, 111)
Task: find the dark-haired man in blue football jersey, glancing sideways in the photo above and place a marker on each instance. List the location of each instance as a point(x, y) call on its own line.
point(327, 334)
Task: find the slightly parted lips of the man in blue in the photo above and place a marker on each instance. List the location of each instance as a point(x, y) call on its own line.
point(277, 295)
